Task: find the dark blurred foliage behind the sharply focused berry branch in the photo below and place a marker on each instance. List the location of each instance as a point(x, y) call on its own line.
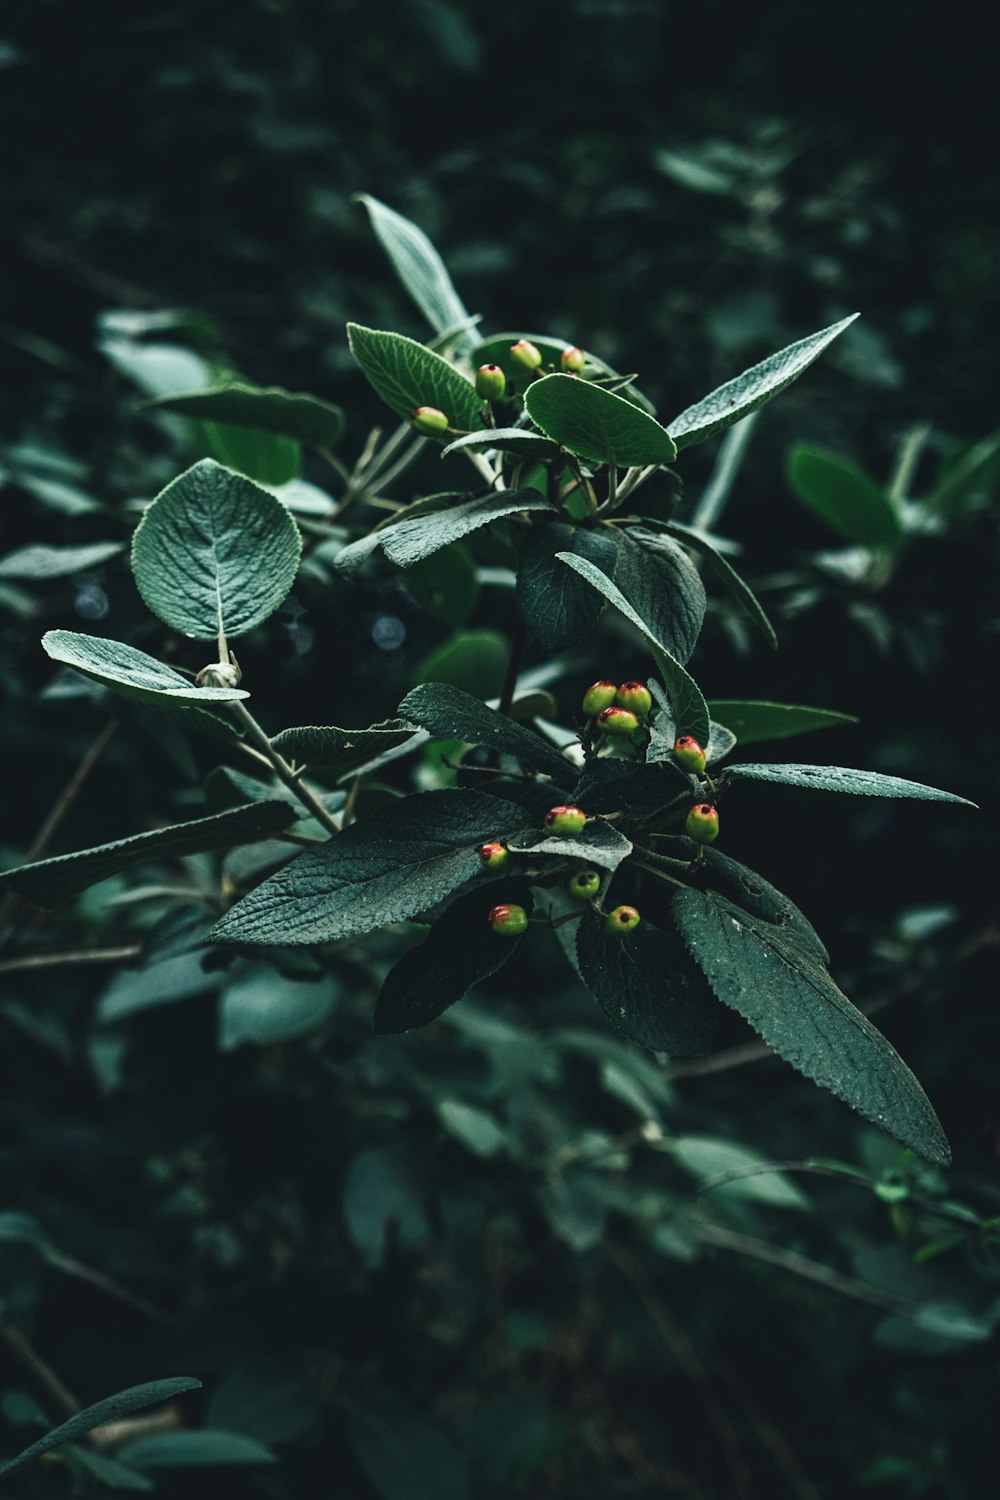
point(497, 1259)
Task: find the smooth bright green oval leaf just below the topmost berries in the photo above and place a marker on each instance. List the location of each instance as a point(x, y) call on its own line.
point(597, 425)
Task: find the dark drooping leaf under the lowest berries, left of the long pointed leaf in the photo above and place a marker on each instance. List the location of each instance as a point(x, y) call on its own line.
point(648, 988)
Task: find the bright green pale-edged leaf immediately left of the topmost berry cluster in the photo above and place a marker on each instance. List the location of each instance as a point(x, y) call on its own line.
point(407, 376)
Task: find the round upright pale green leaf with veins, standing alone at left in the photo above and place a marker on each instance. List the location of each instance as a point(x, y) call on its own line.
point(215, 553)
